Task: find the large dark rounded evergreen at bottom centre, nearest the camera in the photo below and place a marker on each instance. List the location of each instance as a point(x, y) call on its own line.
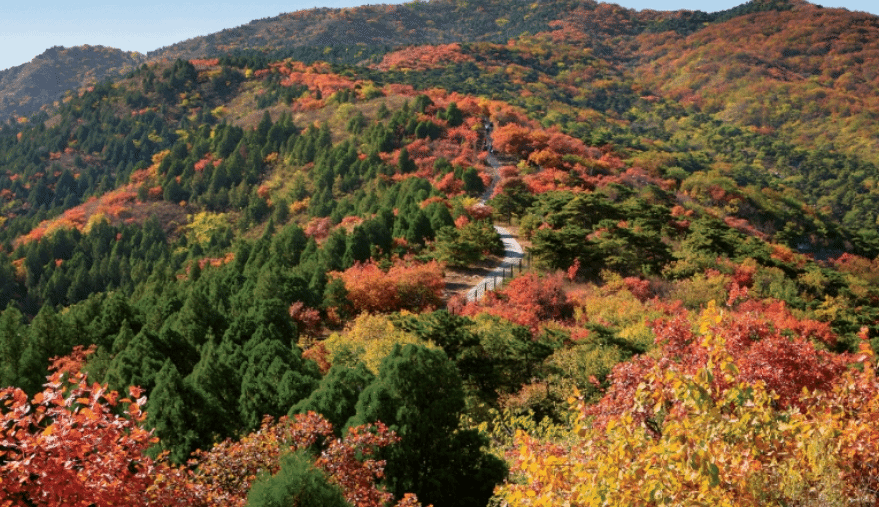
point(418, 393)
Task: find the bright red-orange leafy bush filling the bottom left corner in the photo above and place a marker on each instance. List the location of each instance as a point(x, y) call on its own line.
point(68, 445)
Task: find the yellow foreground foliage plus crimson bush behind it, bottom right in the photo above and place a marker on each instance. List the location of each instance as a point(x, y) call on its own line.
point(731, 413)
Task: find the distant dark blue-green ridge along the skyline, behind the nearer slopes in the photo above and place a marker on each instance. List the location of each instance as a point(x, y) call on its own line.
point(373, 29)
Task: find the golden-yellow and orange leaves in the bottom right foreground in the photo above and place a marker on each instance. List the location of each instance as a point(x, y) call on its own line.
point(706, 445)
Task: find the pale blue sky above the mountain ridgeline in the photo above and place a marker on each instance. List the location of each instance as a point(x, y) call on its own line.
point(28, 27)
